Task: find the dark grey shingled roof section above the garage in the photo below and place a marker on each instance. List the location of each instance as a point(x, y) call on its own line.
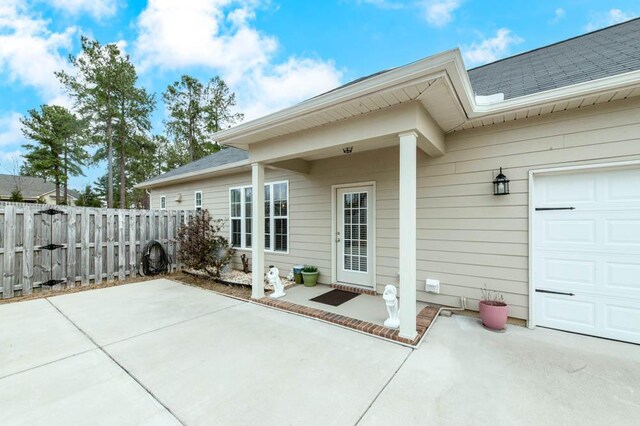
point(607, 52)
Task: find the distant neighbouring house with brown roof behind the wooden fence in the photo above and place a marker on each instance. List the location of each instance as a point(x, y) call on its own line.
point(33, 189)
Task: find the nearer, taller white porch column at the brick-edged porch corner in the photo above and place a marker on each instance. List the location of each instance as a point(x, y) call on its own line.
point(408, 158)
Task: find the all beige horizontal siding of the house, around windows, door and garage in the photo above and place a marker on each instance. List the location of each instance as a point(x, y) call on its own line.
point(467, 237)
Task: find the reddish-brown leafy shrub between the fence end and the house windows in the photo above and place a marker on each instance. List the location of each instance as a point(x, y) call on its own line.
point(202, 246)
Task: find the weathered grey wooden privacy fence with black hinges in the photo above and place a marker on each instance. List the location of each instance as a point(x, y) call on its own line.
point(60, 246)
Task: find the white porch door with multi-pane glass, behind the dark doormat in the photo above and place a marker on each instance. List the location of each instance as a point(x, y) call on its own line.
point(353, 235)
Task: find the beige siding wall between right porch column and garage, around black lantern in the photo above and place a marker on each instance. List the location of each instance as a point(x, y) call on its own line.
point(468, 237)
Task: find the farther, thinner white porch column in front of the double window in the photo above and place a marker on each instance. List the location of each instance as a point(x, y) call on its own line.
point(257, 231)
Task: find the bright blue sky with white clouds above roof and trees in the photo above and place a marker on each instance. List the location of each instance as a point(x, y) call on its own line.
point(272, 53)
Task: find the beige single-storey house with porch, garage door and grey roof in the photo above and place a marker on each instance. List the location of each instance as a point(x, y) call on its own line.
point(389, 180)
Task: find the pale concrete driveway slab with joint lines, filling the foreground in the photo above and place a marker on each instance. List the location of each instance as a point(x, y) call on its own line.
point(160, 352)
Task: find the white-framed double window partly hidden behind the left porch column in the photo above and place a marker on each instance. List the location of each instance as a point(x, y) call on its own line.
point(276, 201)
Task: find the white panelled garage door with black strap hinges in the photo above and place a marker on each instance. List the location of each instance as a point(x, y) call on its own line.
point(587, 252)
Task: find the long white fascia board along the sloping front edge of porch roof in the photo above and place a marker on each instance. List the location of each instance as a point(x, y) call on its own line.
point(428, 67)
